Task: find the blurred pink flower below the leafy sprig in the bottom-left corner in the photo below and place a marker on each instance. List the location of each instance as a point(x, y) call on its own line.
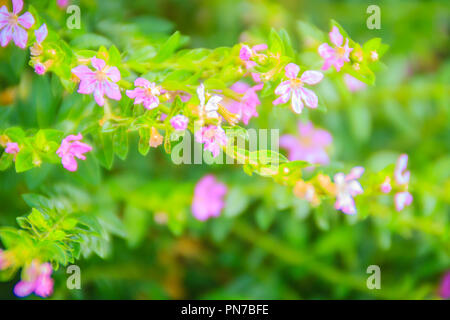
point(37, 279)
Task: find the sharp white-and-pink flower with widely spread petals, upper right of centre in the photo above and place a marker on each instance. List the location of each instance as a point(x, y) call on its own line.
point(294, 88)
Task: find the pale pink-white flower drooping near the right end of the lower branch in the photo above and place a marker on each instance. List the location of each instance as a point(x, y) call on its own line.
point(347, 187)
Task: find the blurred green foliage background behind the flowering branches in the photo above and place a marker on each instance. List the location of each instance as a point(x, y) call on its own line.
point(267, 244)
